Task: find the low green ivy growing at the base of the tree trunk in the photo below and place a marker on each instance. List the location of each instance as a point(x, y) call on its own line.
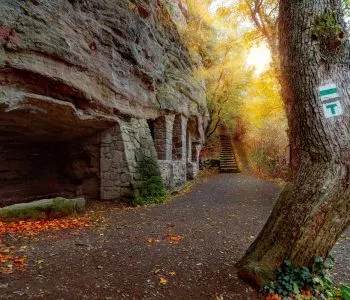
point(291, 282)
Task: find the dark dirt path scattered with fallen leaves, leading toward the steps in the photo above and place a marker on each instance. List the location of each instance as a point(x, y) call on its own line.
point(192, 242)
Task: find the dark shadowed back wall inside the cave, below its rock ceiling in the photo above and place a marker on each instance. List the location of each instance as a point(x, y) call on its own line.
point(37, 170)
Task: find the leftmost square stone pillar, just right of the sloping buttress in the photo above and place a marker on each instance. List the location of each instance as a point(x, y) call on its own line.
point(163, 133)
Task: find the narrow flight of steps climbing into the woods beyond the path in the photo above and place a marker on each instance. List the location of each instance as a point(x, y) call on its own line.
point(228, 163)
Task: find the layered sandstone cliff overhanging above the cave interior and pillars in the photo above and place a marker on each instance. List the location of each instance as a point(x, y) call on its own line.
point(72, 65)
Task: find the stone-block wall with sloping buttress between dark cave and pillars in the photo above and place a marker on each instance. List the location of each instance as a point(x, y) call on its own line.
point(124, 150)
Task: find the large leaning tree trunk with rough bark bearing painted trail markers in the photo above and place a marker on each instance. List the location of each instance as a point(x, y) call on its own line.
point(314, 210)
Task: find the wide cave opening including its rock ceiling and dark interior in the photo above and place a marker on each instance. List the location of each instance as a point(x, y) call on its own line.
point(48, 149)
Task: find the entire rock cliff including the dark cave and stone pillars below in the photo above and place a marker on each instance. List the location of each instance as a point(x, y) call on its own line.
point(88, 89)
